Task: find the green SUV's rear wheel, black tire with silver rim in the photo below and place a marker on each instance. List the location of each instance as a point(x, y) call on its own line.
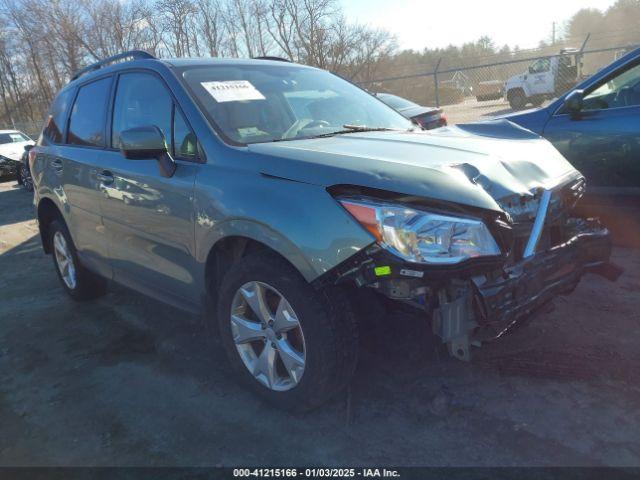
point(78, 282)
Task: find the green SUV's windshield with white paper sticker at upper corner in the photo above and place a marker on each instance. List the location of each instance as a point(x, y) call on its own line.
point(262, 103)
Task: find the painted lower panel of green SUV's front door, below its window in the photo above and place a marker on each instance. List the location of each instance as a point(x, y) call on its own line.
point(149, 223)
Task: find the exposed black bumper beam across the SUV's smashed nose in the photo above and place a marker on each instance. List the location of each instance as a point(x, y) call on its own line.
point(490, 305)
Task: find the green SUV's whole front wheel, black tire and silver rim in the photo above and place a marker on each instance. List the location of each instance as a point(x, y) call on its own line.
point(291, 344)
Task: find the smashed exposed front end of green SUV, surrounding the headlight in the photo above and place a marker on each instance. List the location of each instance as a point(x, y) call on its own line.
point(545, 249)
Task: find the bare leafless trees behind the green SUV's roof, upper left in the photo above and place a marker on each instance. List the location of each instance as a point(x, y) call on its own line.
point(44, 42)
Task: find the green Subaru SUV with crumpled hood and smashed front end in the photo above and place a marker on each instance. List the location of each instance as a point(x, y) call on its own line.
point(268, 195)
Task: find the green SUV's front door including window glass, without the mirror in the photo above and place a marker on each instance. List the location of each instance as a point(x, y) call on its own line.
point(149, 218)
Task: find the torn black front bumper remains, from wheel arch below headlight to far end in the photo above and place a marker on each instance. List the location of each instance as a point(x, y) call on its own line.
point(479, 300)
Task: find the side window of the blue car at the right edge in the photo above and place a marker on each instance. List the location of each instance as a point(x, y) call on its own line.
point(623, 90)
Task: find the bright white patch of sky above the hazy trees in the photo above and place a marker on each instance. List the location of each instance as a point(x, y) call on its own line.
point(438, 23)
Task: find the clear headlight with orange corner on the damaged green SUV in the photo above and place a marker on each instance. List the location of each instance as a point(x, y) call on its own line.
point(423, 237)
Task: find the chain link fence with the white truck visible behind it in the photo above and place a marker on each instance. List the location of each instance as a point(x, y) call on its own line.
point(495, 85)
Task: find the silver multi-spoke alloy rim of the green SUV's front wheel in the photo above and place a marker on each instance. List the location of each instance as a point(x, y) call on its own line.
point(268, 336)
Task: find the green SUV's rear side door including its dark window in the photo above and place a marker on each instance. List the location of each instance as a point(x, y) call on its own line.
point(77, 161)
